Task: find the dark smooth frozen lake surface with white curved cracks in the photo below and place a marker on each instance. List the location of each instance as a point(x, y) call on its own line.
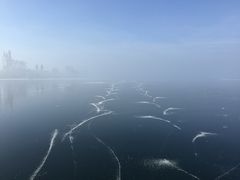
point(69, 130)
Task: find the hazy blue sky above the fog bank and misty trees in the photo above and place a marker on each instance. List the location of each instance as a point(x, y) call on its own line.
point(93, 34)
